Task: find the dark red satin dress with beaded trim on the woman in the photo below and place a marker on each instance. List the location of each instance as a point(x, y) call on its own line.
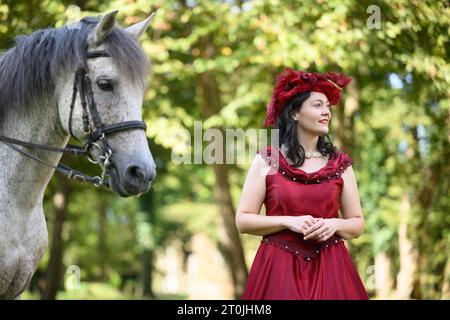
point(285, 265)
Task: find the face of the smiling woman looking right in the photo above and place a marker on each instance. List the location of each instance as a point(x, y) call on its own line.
point(313, 111)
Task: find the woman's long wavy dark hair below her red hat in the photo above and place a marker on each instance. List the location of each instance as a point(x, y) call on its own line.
point(288, 132)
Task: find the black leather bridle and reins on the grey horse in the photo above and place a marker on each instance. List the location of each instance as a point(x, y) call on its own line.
point(98, 132)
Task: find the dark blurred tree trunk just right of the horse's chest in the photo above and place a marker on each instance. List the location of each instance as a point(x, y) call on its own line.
point(54, 272)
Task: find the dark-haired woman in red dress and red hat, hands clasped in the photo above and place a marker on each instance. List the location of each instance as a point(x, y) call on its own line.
point(303, 185)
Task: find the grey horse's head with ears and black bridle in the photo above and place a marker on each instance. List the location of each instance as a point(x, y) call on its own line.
point(100, 102)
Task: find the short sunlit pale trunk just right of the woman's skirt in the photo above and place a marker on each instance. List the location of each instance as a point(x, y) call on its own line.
point(383, 279)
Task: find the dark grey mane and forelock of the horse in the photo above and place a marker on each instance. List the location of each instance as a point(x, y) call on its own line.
point(30, 68)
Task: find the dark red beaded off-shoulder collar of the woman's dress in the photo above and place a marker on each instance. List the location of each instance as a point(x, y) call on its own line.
point(334, 168)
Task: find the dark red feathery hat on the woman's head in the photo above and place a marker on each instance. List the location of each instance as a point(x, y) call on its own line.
point(291, 82)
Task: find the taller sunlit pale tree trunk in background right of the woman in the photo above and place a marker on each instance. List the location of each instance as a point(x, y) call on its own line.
point(408, 255)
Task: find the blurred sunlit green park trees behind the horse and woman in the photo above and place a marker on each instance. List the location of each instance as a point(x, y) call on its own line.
point(215, 62)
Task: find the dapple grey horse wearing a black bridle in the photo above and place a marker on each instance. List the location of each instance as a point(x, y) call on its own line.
point(86, 80)
